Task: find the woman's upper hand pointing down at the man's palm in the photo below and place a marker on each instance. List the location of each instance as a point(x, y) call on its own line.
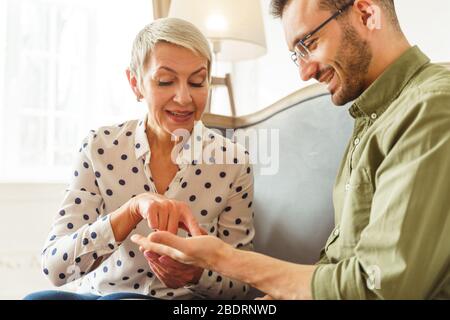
point(164, 214)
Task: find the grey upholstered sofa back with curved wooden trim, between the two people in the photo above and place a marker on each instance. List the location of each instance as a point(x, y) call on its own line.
point(293, 208)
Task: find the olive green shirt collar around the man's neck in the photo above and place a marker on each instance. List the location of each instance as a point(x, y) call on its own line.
point(377, 98)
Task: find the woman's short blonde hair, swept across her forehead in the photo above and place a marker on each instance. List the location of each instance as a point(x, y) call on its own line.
point(171, 30)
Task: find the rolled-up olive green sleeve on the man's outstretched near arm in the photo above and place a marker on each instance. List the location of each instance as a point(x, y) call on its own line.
point(403, 253)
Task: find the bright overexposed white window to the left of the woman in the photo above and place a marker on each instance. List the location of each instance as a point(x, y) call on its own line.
point(62, 73)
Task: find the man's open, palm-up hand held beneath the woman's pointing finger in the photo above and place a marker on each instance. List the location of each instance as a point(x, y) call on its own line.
point(201, 251)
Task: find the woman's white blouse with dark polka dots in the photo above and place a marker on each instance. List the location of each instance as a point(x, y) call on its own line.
point(112, 167)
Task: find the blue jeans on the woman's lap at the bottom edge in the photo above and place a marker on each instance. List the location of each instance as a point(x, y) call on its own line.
point(62, 295)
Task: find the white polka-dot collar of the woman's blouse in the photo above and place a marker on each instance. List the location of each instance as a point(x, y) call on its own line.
point(190, 152)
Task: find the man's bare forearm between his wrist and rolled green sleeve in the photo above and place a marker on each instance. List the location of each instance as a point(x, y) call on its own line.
point(279, 279)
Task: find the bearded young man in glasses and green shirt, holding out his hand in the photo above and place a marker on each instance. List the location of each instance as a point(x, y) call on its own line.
point(392, 213)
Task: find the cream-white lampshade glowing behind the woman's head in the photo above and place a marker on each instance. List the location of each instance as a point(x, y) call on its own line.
point(235, 27)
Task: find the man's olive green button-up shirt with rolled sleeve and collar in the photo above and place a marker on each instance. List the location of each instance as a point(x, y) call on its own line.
point(392, 193)
